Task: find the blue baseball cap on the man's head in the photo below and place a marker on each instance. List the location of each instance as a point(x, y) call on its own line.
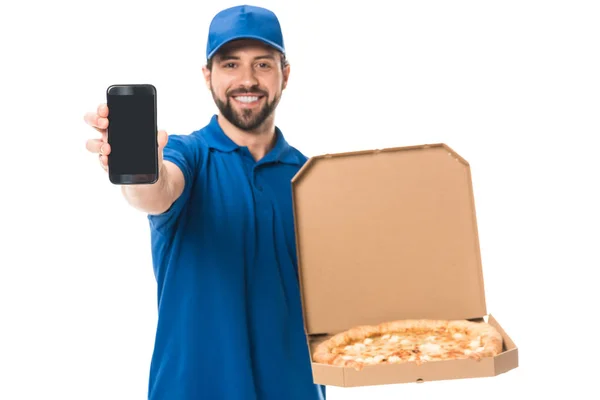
point(244, 22)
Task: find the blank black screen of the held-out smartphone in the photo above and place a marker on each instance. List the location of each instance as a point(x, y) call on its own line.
point(132, 134)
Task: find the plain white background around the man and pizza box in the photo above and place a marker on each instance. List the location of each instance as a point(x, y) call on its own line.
point(512, 86)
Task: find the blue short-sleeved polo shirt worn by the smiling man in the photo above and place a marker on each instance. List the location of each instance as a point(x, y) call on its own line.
point(229, 313)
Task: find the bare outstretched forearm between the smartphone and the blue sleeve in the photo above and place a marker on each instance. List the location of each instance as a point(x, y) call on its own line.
point(153, 199)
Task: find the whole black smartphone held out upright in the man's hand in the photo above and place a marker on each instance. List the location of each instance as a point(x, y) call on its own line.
point(132, 134)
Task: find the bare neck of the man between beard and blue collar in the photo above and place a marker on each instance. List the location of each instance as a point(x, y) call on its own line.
point(259, 141)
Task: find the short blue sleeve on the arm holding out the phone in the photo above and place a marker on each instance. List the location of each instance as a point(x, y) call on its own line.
point(184, 152)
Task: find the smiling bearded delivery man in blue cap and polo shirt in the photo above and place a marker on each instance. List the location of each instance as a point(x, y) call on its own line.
point(229, 314)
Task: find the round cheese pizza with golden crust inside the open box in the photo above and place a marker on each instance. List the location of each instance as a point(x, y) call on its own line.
point(415, 341)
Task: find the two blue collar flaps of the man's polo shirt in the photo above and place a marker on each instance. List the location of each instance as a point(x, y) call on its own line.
point(282, 152)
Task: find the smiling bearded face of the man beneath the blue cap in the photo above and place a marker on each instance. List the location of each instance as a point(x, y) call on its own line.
point(246, 82)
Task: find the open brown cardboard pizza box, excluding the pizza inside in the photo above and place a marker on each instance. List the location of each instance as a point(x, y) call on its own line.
point(390, 234)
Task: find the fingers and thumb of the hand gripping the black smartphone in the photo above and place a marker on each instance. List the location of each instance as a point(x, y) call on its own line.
point(99, 121)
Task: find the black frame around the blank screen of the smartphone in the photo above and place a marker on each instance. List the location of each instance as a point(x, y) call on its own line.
point(132, 90)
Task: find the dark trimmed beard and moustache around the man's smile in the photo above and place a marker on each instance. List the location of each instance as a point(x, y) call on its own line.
point(247, 120)
